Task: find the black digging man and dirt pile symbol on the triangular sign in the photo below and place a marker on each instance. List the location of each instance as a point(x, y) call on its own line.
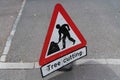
point(63, 32)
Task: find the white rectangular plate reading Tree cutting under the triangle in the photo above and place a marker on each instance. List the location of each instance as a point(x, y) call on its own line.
point(56, 64)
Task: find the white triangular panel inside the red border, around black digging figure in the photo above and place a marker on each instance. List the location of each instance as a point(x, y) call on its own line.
point(55, 36)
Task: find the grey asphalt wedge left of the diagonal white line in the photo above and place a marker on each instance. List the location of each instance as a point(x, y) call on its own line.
point(8, 12)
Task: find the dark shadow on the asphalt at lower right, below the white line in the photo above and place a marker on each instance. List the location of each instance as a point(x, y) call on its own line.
point(88, 72)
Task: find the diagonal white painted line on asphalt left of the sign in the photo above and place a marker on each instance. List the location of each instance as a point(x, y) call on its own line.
point(9, 40)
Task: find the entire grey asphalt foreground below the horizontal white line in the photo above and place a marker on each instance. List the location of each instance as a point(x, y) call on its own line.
point(79, 72)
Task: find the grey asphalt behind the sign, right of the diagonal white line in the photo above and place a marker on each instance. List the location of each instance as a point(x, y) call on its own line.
point(97, 20)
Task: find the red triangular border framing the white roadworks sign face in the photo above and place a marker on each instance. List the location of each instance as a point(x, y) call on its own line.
point(59, 8)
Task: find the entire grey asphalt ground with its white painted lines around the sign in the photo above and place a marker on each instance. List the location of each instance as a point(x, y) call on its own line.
point(28, 20)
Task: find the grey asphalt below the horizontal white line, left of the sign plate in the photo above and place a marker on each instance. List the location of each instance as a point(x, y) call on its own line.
point(33, 74)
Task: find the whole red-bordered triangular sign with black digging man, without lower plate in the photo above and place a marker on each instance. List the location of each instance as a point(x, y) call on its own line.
point(63, 37)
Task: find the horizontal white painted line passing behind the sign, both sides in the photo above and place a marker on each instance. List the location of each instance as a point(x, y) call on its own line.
point(34, 65)
